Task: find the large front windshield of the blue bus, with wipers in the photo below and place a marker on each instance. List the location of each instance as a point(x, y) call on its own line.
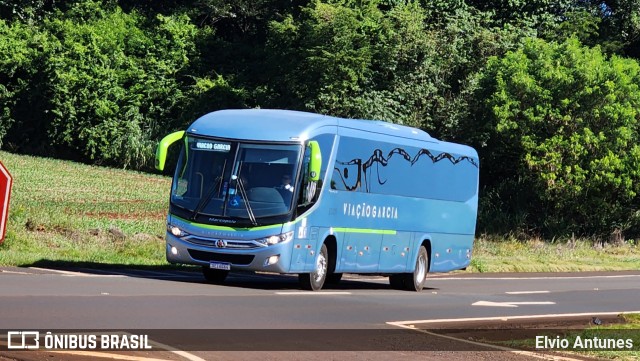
point(224, 182)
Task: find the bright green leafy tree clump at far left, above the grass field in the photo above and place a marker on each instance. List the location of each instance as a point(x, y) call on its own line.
point(94, 83)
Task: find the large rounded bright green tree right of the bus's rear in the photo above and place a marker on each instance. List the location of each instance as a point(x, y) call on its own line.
point(561, 123)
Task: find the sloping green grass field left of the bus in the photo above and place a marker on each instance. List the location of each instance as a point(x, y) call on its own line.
point(65, 211)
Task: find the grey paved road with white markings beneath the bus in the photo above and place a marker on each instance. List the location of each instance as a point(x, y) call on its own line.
point(81, 299)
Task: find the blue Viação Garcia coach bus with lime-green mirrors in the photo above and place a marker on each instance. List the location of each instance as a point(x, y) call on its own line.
point(318, 196)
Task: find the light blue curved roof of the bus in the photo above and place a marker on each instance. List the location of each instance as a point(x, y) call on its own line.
point(288, 125)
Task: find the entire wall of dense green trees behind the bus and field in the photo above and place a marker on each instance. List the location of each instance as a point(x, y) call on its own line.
point(547, 91)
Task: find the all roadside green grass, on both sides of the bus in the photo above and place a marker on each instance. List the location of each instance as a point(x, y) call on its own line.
point(68, 212)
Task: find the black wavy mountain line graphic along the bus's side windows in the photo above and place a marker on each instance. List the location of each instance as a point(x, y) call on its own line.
point(378, 159)
